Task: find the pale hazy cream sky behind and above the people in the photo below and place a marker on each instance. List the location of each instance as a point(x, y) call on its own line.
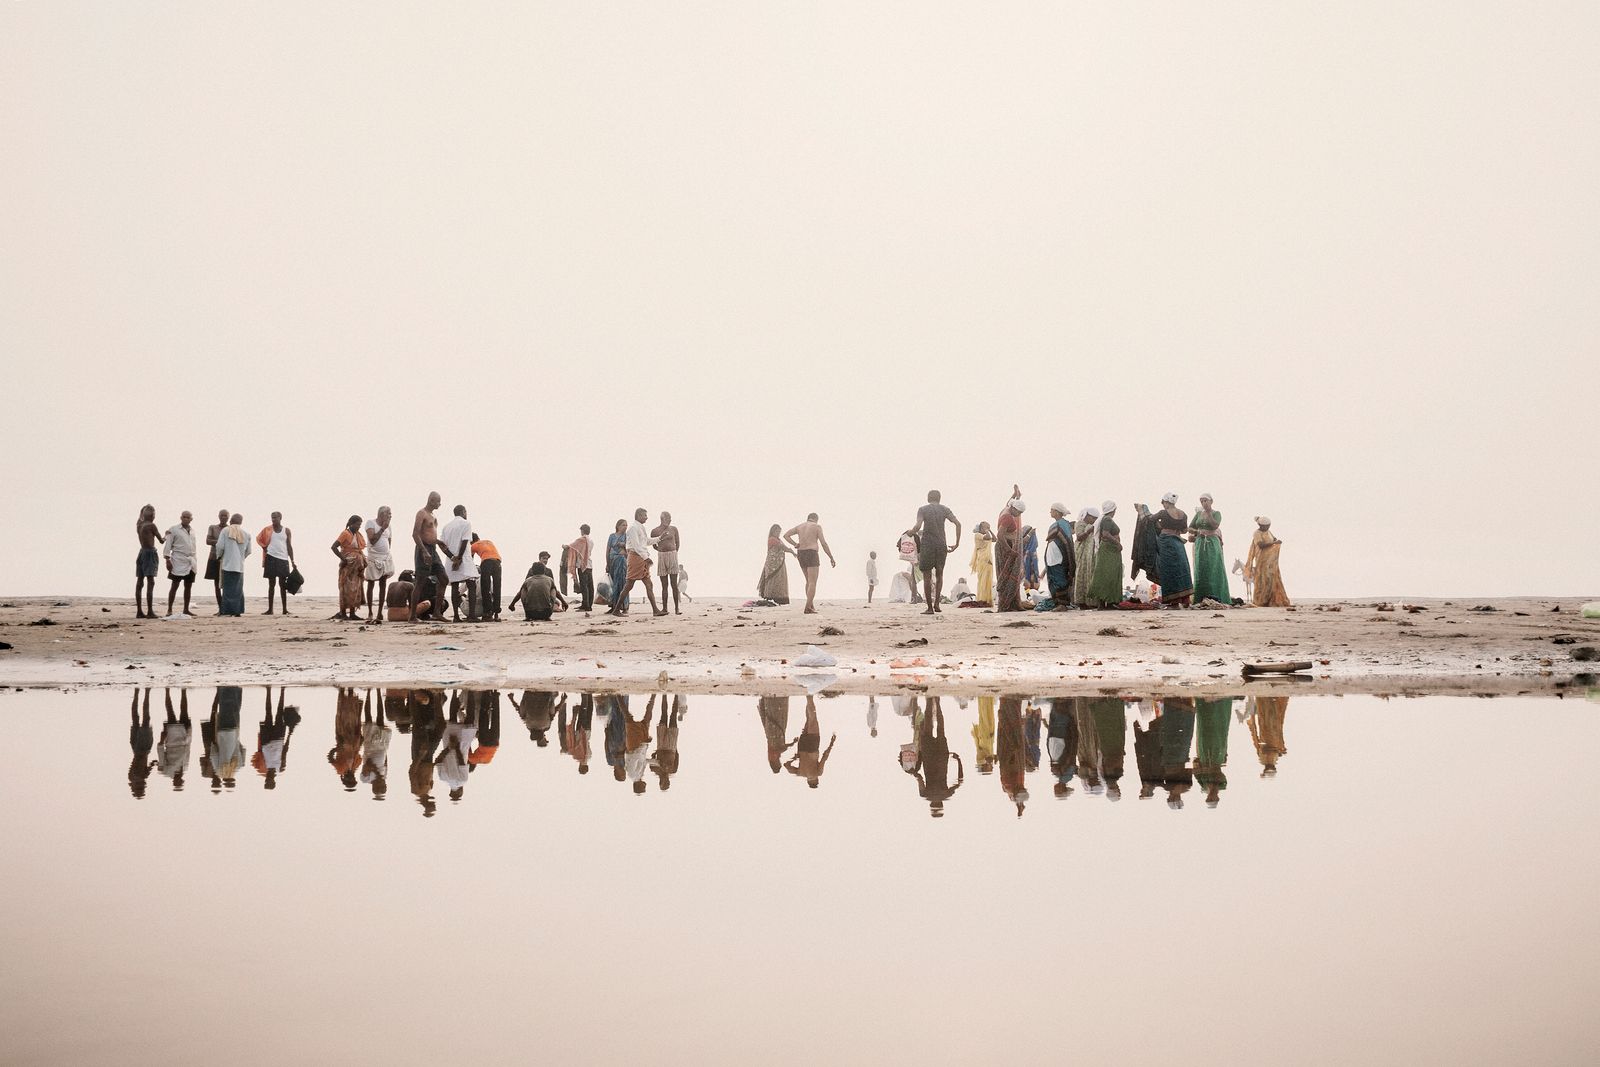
point(745, 262)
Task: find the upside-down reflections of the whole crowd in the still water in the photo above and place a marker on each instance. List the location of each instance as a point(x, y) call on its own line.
point(1180, 745)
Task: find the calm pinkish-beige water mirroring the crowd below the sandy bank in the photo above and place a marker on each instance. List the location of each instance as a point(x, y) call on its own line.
point(417, 877)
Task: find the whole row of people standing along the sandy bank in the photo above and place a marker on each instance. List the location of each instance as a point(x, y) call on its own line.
point(1086, 564)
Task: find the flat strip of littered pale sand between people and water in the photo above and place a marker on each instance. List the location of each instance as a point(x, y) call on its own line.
point(1521, 645)
